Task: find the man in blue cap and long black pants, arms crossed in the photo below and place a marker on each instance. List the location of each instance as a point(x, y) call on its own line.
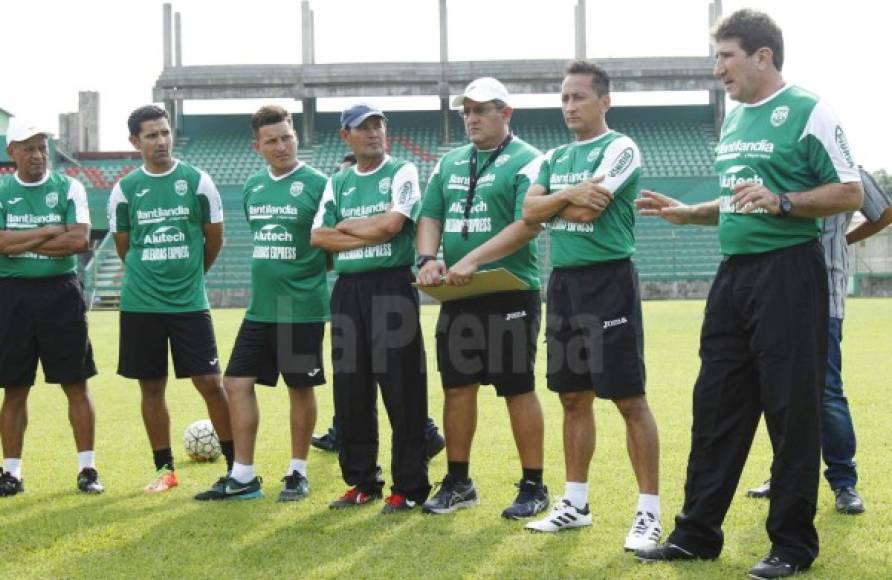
point(367, 220)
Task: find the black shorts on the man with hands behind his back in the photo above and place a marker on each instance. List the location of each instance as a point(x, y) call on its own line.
point(142, 348)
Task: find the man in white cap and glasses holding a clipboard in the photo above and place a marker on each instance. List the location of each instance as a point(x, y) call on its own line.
point(473, 204)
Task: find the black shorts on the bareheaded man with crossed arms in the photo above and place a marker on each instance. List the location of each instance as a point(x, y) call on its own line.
point(594, 330)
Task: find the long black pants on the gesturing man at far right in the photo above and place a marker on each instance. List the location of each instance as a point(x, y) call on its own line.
point(763, 349)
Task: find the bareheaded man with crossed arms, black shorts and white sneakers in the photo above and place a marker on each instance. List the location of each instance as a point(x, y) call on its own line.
point(586, 190)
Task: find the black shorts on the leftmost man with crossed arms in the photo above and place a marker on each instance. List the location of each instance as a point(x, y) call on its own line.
point(44, 319)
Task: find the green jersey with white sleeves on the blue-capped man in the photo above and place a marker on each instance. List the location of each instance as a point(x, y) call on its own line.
point(351, 194)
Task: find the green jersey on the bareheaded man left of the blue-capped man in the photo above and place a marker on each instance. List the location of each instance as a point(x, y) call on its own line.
point(288, 277)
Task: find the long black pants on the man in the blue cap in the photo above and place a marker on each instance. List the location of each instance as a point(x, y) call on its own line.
point(376, 339)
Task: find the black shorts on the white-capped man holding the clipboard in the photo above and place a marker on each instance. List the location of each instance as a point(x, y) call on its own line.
point(490, 340)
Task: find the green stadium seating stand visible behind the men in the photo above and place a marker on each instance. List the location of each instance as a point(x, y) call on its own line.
point(676, 144)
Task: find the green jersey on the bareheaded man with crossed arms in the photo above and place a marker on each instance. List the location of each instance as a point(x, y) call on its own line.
point(612, 236)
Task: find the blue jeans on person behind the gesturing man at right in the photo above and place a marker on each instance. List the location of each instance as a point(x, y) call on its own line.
point(837, 431)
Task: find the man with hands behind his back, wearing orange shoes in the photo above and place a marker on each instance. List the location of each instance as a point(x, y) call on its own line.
point(167, 222)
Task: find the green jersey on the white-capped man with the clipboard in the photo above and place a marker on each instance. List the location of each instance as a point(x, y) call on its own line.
point(498, 202)
